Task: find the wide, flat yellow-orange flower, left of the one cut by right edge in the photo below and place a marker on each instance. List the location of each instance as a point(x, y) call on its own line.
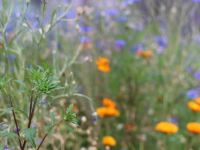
point(166, 127)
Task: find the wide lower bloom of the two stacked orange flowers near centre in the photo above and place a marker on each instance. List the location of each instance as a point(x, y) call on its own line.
point(107, 112)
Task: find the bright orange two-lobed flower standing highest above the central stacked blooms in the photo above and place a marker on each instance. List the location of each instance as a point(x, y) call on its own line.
point(103, 64)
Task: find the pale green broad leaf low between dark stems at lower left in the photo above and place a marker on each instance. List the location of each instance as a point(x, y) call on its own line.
point(30, 134)
